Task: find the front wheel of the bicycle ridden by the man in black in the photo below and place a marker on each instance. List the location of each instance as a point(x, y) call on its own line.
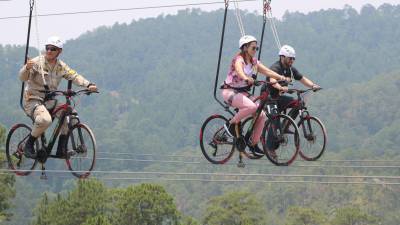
point(314, 137)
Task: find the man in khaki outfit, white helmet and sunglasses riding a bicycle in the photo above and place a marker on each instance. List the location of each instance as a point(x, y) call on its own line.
point(42, 71)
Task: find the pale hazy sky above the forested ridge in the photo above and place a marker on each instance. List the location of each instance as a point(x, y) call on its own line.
point(13, 31)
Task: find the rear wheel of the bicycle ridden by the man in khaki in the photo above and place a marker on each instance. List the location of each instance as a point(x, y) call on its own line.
point(15, 144)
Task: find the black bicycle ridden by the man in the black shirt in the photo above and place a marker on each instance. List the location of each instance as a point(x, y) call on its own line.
point(312, 130)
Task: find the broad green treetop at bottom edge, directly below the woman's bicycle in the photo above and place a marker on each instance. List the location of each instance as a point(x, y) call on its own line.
point(235, 208)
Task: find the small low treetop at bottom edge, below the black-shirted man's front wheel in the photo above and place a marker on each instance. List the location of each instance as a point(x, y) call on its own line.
point(304, 216)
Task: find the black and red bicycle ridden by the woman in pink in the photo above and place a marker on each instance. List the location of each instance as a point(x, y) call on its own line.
point(218, 147)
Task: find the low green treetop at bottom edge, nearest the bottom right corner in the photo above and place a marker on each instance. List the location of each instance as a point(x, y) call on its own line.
point(353, 216)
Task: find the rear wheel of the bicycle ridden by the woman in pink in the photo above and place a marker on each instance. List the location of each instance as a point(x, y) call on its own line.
point(215, 143)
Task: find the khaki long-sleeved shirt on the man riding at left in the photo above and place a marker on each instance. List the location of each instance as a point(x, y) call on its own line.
point(52, 76)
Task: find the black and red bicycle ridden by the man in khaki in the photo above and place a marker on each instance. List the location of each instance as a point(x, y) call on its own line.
point(80, 140)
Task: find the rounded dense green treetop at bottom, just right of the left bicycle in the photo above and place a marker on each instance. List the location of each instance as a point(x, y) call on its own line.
point(146, 204)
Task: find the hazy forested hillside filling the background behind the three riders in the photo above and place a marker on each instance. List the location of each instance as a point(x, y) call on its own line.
point(156, 79)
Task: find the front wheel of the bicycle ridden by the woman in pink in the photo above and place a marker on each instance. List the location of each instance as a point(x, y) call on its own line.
point(280, 140)
